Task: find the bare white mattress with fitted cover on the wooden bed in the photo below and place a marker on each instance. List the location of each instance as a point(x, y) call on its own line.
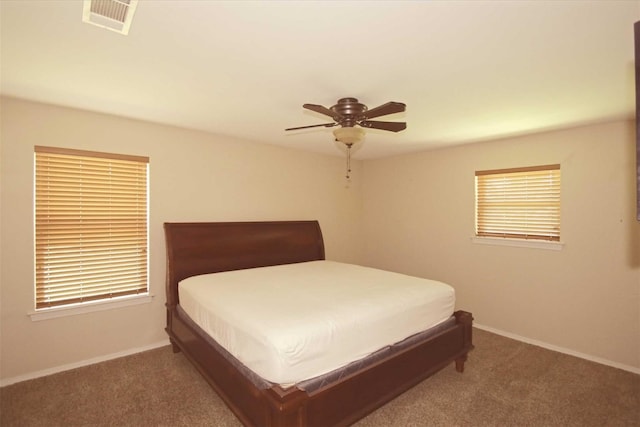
point(293, 322)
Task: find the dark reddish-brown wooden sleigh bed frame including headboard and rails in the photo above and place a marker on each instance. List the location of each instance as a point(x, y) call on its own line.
point(199, 248)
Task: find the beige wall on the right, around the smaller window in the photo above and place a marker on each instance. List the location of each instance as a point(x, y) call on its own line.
point(419, 219)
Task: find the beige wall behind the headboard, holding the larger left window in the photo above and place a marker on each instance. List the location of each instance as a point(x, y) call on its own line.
point(193, 177)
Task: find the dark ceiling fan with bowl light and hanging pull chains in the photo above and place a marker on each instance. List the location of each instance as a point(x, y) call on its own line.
point(349, 113)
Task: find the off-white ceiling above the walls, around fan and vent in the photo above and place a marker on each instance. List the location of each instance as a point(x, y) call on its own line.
point(467, 70)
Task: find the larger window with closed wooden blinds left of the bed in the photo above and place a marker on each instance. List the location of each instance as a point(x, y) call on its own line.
point(91, 226)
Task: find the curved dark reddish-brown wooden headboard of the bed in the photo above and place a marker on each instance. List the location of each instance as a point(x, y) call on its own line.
point(210, 247)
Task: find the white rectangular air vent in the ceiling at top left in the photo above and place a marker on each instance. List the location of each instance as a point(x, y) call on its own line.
point(114, 15)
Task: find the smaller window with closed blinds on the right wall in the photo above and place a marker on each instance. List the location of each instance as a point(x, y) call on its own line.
point(522, 203)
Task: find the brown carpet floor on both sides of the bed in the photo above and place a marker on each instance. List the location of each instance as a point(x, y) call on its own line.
point(505, 383)
